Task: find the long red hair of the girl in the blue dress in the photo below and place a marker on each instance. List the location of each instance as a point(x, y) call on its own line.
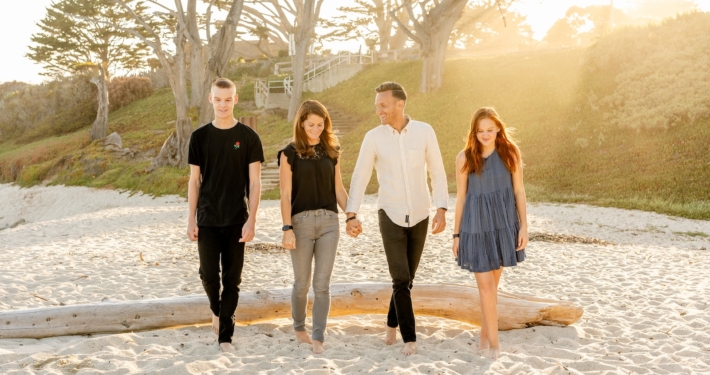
point(505, 145)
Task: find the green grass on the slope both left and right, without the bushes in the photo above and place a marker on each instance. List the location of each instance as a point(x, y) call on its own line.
point(571, 154)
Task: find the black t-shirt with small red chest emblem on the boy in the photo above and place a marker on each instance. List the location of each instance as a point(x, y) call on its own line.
point(223, 156)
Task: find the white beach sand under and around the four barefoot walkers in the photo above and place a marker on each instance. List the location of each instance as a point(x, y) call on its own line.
point(645, 300)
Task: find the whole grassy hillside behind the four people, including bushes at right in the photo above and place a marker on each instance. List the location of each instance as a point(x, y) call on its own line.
point(625, 123)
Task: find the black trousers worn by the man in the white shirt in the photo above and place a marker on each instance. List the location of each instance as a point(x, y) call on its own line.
point(403, 248)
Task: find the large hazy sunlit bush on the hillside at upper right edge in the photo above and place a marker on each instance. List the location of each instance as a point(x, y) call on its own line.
point(660, 73)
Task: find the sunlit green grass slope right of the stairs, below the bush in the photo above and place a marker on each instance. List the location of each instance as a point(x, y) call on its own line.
point(541, 95)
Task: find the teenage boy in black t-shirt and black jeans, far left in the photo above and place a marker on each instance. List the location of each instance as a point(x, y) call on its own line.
point(225, 167)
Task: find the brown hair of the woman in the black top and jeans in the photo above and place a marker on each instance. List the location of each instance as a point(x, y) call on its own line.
point(328, 140)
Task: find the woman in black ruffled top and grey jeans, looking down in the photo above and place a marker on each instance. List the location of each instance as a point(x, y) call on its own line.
point(311, 191)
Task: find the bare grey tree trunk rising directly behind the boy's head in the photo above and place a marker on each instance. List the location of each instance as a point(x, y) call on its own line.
point(221, 46)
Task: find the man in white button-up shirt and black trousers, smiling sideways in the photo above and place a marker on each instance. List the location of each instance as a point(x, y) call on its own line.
point(401, 150)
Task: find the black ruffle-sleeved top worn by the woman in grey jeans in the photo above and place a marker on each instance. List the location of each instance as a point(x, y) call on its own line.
point(312, 181)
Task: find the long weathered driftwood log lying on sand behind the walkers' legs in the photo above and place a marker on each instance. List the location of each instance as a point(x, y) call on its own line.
point(456, 302)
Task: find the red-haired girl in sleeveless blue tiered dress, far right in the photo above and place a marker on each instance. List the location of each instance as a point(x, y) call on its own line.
point(490, 227)
